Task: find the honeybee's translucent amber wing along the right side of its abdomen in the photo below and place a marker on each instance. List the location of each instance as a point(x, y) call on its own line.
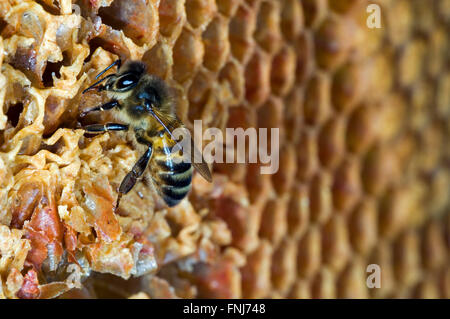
point(170, 125)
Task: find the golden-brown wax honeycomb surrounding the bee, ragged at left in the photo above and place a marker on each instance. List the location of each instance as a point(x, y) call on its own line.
point(364, 178)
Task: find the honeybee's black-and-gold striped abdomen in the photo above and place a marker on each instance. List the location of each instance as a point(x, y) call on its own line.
point(172, 178)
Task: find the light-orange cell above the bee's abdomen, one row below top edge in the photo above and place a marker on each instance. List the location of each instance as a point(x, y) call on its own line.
point(187, 55)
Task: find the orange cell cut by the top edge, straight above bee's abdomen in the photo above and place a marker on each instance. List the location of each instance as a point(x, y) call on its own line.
point(171, 17)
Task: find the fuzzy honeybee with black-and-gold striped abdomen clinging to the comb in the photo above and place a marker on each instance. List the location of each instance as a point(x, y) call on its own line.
point(143, 103)
